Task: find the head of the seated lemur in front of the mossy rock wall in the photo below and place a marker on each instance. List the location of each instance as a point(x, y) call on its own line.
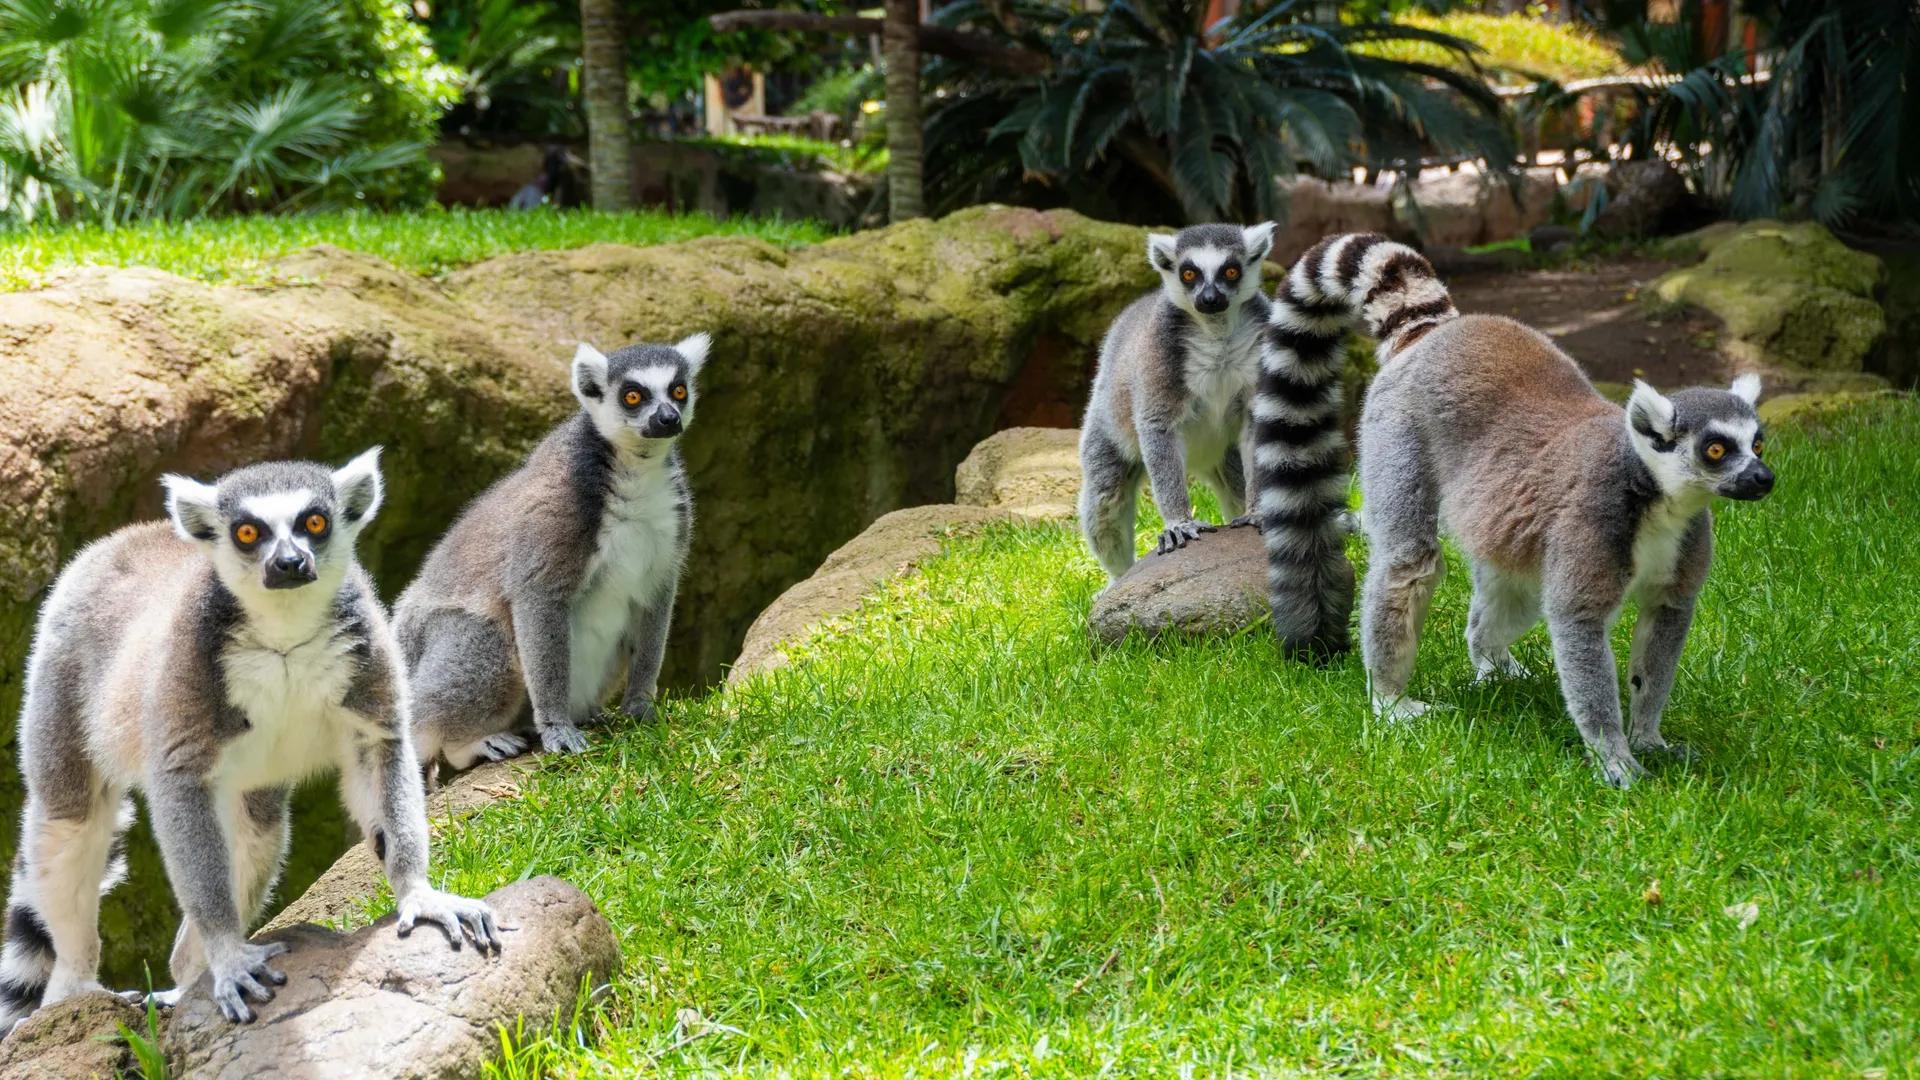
point(642, 395)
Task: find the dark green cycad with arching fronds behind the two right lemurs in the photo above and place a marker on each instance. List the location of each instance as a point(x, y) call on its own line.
point(1143, 110)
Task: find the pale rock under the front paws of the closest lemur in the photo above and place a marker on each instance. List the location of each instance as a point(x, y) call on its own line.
point(375, 1004)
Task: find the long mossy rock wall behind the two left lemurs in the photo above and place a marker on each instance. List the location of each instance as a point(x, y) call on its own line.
point(848, 380)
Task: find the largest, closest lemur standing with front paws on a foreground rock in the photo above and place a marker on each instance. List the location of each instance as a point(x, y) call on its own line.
point(212, 666)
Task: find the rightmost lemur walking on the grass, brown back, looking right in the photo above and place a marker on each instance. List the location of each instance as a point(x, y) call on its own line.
point(1568, 504)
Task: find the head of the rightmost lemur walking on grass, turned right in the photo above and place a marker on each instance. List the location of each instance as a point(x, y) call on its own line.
point(1706, 441)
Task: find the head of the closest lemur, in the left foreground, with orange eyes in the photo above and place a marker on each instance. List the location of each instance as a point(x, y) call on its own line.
point(281, 524)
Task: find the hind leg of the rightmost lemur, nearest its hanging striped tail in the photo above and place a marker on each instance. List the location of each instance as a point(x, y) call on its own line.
point(1404, 564)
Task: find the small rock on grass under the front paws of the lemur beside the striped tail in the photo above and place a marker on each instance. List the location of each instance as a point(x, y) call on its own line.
point(1214, 583)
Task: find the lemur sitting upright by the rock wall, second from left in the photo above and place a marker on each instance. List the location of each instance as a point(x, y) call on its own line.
point(558, 570)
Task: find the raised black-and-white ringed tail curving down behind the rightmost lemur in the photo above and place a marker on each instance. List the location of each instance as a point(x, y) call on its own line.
point(1301, 456)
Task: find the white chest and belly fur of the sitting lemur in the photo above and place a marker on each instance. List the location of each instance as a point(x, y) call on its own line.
point(635, 558)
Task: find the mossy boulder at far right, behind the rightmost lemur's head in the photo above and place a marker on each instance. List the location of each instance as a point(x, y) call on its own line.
point(1790, 295)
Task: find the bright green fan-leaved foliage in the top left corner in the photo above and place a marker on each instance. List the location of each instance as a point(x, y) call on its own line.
point(116, 110)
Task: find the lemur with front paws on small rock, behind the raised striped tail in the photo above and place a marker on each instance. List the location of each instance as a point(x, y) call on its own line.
point(1172, 387)
